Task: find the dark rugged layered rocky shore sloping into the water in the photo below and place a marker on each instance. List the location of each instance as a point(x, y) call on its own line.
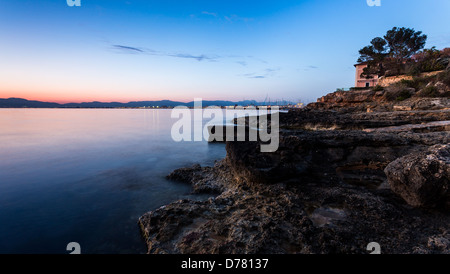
point(355, 167)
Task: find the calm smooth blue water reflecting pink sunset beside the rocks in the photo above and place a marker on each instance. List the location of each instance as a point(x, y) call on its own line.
point(86, 176)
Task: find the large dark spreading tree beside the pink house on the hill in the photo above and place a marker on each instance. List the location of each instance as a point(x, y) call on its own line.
point(392, 52)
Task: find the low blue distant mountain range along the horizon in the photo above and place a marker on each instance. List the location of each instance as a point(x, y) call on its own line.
point(23, 103)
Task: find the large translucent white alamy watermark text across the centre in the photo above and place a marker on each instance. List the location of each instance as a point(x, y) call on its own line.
point(250, 124)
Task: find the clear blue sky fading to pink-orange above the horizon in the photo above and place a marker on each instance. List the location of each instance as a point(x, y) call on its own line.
point(136, 50)
